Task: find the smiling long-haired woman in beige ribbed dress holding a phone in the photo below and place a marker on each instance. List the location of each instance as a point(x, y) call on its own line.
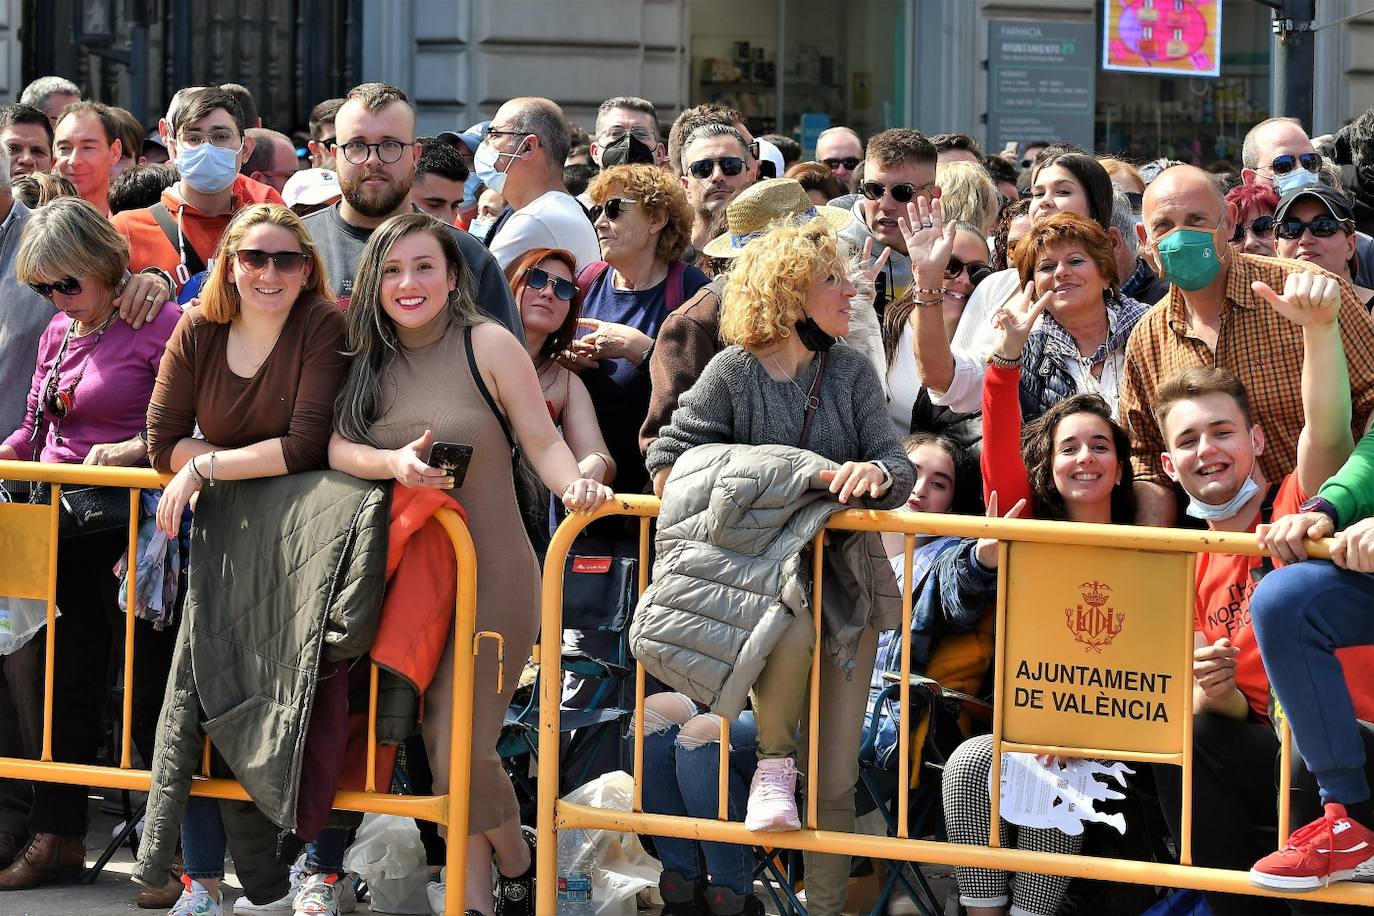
point(427, 367)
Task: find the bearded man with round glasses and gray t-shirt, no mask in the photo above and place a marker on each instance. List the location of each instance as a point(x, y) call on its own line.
point(376, 154)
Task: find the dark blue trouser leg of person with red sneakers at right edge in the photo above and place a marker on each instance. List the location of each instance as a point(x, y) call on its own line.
point(1302, 615)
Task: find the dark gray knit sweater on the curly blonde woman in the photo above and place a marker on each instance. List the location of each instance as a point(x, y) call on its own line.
point(736, 402)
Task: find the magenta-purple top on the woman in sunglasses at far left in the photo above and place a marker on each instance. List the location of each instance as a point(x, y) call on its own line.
point(113, 398)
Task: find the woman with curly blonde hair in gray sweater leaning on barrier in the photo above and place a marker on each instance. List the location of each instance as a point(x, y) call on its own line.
point(787, 380)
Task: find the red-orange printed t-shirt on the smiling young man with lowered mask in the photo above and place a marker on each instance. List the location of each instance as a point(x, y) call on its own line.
point(1224, 610)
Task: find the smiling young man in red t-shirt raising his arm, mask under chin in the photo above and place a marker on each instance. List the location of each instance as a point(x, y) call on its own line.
point(1213, 450)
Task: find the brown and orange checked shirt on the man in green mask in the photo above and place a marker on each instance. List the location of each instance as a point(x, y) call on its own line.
point(1259, 347)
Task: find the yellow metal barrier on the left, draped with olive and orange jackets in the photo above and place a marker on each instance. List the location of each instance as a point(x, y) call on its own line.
point(30, 569)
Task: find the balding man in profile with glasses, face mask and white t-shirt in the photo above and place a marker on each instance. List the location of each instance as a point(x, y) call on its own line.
point(521, 157)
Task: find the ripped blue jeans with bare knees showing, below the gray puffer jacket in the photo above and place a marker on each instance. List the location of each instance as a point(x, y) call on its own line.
point(682, 766)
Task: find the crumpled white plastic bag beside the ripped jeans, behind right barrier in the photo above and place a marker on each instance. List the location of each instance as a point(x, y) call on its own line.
point(624, 871)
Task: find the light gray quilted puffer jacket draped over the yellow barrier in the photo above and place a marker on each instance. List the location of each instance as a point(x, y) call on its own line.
point(732, 568)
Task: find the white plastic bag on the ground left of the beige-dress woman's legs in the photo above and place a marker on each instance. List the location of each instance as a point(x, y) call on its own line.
point(390, 856)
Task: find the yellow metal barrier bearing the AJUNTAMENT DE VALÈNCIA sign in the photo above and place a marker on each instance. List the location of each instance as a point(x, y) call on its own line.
point(1103, 582)
